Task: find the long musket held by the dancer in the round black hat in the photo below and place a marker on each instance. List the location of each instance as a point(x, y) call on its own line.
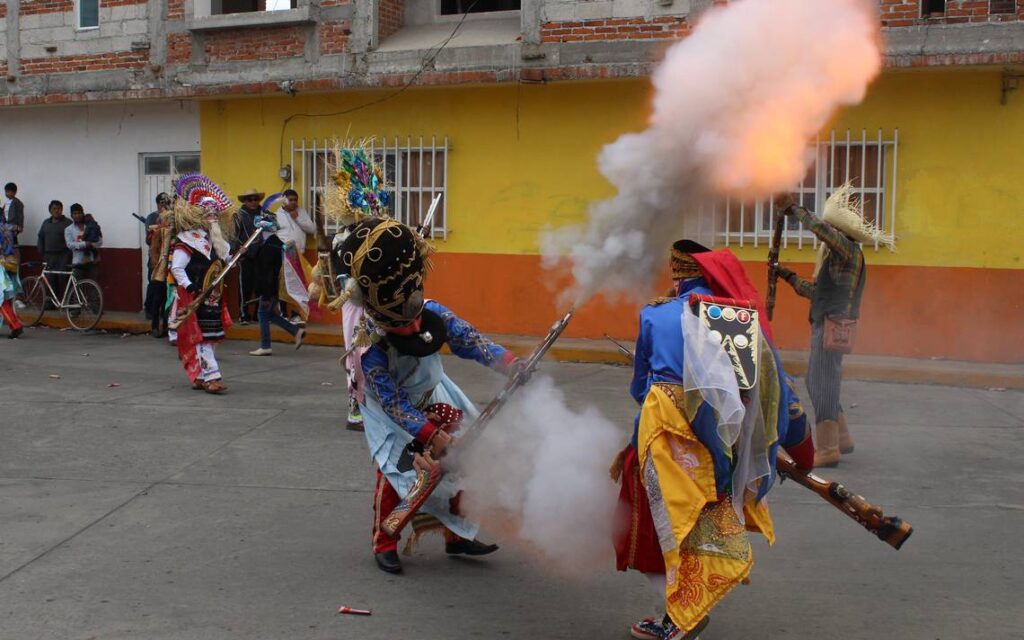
point(429, 480)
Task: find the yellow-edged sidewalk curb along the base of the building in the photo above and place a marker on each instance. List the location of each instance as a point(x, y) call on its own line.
point(873, 369)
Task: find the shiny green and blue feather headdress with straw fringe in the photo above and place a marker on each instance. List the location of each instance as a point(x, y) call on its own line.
point(358, 187)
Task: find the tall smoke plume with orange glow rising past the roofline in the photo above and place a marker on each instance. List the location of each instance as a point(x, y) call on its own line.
point(735, 107)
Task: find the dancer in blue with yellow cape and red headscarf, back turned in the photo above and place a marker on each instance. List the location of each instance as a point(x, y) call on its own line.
point(664, 363)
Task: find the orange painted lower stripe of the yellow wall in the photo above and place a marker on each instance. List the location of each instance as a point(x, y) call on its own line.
point(914, 312)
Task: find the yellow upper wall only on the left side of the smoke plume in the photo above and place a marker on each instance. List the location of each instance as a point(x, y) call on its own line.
point(523, 156)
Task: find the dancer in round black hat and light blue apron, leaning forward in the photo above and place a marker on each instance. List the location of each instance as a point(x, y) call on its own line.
point(403, 391)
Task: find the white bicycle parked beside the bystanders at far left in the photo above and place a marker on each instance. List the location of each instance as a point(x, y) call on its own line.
point(82, 301)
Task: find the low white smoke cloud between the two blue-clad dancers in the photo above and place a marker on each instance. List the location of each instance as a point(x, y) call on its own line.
point(540, 475)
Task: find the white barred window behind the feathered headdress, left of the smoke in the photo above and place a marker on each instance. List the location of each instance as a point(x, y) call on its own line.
point(416, 172)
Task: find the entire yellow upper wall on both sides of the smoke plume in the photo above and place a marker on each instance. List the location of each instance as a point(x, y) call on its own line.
point(524, 156)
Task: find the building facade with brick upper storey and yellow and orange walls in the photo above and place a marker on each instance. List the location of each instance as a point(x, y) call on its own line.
point(502, 111)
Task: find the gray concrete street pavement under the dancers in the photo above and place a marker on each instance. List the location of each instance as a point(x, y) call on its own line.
point(149, 510)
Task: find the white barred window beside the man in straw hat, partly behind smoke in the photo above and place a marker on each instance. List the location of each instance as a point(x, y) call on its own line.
point(869, 163)
